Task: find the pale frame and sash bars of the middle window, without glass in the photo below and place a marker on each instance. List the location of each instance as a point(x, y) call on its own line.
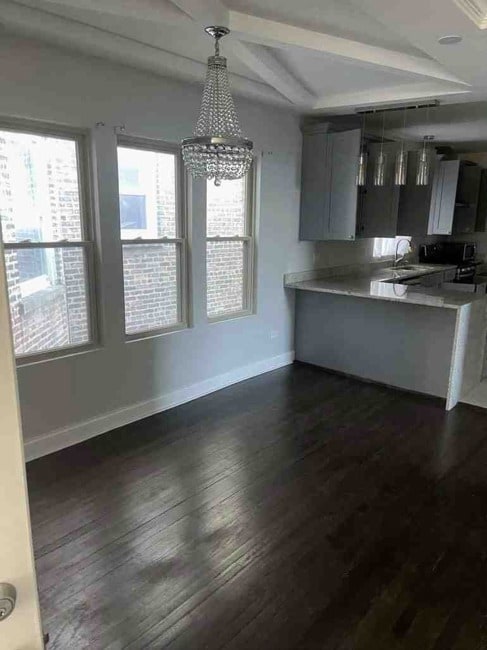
point(181, 240)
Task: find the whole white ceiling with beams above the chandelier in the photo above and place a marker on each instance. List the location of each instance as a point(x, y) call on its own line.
point(315, 56)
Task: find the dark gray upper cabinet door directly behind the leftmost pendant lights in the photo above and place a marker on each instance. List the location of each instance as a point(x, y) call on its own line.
point(380, 204)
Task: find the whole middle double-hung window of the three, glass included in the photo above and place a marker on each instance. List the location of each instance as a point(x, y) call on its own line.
point(153, 234)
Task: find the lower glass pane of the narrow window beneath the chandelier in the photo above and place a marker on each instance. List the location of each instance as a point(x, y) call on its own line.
point(226, 264)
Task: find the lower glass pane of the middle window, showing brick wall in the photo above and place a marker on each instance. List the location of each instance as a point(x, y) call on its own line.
point(151, 280)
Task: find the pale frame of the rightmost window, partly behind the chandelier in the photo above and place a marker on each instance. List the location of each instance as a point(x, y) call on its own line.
point(249, 240)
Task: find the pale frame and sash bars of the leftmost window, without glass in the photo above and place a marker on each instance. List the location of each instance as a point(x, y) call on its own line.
point(81, 138)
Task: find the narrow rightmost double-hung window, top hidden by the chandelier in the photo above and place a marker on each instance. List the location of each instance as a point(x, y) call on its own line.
point(230, 248)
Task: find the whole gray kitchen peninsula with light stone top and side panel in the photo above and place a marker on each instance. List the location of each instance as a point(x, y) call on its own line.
point(366, 322)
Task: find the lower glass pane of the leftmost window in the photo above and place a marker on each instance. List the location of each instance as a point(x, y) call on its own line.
point(48, 298)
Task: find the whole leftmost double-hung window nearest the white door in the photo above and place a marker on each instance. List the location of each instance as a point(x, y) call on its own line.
point(44, 213)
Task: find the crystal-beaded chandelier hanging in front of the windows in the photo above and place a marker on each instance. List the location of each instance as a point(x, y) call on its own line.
point(217, 149)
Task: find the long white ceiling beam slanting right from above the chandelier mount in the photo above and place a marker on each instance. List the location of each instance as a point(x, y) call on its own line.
point(270, 32)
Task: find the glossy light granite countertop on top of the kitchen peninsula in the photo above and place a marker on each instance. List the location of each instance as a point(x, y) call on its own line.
point(378, 286)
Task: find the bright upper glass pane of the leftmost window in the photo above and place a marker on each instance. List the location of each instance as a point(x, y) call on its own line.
point(39, 188)
